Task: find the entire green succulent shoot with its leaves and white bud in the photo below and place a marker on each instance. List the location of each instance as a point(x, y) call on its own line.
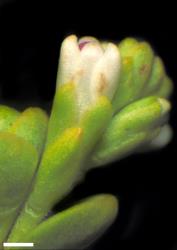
point(110, 101)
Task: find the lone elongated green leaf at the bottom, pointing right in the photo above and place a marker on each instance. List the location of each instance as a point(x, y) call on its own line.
point(76, 227)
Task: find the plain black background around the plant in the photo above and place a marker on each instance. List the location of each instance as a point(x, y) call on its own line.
point(30, 36)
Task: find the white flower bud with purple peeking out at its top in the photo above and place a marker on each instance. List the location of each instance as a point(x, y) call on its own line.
point(92, 68)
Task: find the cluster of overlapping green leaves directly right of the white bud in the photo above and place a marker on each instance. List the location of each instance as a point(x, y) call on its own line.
point(142, 74)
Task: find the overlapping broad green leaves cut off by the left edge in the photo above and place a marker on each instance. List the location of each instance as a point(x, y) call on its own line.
point(21, 141)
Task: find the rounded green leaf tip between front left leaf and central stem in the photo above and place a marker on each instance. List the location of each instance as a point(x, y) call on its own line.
point(31, 125)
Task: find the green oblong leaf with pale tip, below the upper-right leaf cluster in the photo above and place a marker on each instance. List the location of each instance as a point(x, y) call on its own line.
point(135, 125)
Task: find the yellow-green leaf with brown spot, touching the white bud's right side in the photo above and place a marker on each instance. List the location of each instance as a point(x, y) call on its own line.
point(137, 59)
